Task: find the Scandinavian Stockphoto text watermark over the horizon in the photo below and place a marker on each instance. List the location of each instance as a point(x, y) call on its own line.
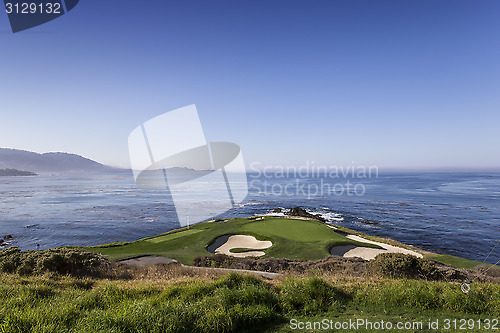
point(310, 180)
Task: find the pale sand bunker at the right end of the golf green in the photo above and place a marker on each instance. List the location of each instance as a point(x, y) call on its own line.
point(369, 253)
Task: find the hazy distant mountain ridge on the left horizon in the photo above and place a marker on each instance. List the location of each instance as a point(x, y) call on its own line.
point(50, 162)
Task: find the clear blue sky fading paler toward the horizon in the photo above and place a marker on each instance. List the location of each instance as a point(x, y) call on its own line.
point(401, 84)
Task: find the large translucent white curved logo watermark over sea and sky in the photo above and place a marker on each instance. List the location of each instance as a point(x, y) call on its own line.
point(204, 179)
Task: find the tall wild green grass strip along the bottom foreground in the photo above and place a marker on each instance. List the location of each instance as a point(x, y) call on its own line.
point(233, 303)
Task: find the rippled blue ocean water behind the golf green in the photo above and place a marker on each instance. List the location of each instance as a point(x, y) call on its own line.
point(449, 213)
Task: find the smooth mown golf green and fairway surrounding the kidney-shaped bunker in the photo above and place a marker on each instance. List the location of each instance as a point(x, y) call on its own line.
point(291, 238)
